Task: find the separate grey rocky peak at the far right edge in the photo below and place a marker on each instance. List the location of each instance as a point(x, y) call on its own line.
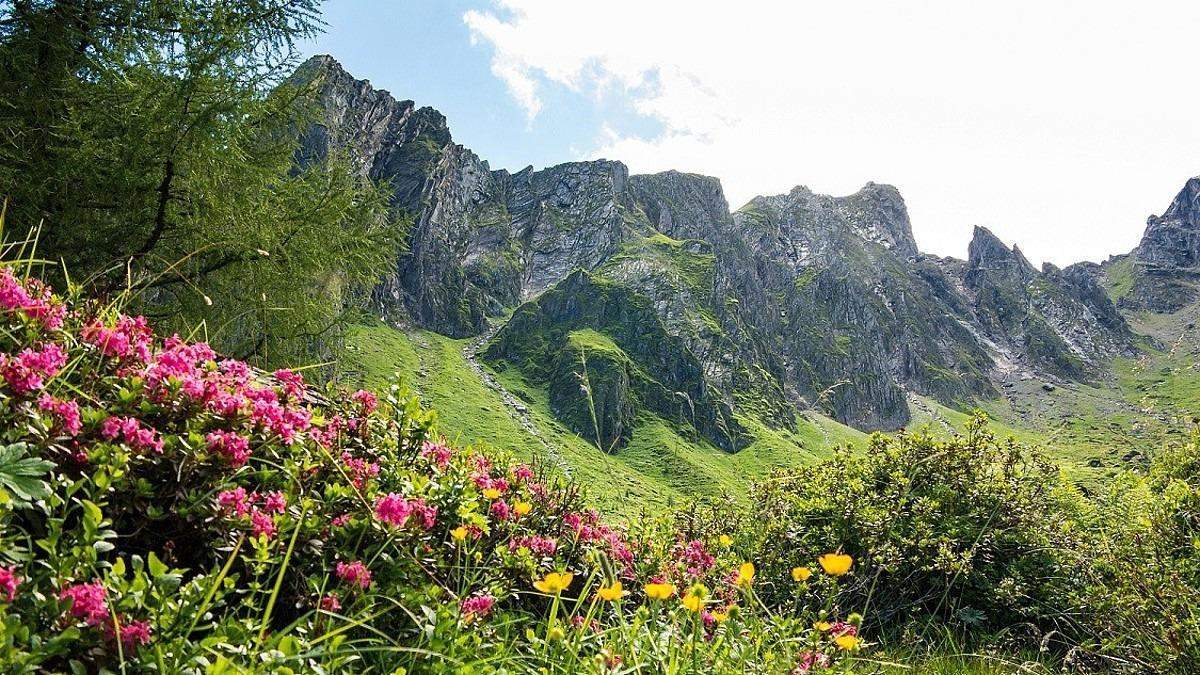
point(1166, 266)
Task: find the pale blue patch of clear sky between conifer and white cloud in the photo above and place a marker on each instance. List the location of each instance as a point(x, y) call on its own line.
point(423, 51)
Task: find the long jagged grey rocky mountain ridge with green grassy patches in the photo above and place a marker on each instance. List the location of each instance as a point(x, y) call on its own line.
point(645, 295)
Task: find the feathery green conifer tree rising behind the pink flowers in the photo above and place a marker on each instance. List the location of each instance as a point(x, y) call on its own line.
point(152, 146)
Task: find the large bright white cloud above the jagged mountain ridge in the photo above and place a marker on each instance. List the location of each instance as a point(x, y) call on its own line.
point(1060, 124)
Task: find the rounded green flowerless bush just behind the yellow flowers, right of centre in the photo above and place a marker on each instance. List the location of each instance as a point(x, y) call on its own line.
point(969, 533)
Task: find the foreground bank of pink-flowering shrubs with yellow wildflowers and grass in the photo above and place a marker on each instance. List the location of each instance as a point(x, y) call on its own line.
point(163, 509)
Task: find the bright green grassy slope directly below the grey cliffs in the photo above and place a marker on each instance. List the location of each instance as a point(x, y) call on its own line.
point(656, 471)
